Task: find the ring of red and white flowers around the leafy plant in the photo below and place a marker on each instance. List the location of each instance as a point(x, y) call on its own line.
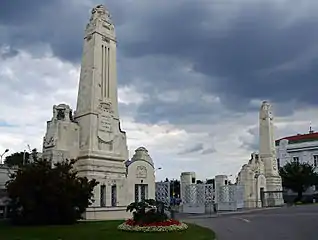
point(166, 226)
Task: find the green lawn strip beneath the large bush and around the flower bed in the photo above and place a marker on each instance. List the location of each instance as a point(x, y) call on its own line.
point(96, 231)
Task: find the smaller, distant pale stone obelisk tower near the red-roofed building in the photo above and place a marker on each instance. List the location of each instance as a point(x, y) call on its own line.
point(268, 156)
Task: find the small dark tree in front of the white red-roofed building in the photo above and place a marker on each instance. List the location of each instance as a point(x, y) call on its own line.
point(298, 177)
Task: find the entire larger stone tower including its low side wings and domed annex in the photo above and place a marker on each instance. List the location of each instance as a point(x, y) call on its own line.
point(92, 135)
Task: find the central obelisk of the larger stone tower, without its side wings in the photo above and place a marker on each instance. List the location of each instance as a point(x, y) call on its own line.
point(102, 144)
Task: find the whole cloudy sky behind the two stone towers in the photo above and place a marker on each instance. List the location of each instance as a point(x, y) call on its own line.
point(192, 74)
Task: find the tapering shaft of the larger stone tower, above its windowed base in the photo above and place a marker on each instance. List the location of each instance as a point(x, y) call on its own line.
point(97, 104)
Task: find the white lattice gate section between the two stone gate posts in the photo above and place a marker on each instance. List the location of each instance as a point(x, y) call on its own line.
point(197, 198)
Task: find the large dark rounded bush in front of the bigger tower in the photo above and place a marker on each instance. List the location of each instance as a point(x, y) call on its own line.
point(40, 194)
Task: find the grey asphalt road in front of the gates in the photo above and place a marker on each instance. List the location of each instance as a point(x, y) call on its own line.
point(292, 223)
